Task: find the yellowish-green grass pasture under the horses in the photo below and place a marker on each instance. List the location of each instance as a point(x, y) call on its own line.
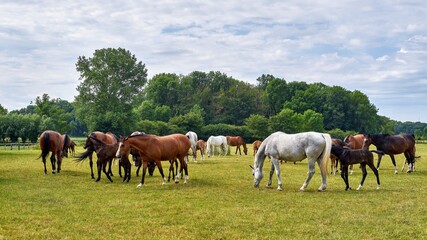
point(219, 202)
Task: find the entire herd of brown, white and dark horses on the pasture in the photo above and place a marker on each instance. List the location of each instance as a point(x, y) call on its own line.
point(149, 151)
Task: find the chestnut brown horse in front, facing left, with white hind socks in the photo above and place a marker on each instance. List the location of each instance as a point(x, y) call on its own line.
point(156, 149)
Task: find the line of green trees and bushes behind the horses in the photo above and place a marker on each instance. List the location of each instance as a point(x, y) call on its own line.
point(115, 95)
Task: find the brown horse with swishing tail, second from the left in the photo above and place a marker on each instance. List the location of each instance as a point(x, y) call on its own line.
point(108, 138)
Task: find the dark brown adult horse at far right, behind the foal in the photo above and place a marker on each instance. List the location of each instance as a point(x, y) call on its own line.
point(393, 144)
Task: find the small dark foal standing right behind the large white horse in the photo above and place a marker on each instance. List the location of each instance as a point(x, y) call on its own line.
point(354, 156)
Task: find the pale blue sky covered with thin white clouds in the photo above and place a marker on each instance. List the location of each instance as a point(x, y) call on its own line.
point(377, 47)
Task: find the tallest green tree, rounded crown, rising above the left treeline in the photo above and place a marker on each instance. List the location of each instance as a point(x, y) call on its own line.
point(111, 81)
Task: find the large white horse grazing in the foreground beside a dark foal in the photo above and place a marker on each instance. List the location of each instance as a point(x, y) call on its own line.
point(316, 147)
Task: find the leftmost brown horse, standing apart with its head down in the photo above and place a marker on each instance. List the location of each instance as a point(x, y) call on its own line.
point(52, 141)
